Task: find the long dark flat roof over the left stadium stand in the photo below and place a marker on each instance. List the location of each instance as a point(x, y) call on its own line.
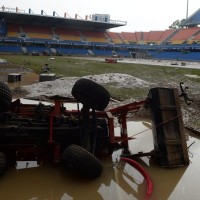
point(56, 21)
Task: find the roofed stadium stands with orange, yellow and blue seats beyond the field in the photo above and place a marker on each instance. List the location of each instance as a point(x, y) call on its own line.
point(22, 33)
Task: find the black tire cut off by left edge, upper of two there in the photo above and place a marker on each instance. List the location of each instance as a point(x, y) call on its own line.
point(5, 97)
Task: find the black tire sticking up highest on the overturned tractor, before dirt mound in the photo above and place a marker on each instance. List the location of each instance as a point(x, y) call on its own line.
point(91, 94)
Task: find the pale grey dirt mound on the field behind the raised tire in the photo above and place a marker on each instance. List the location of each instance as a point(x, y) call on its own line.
point(63, 86)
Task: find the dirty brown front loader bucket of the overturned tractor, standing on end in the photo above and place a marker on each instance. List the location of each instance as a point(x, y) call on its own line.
point(168, 128)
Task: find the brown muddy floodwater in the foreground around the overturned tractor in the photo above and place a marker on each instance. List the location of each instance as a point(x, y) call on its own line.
point(119, 181)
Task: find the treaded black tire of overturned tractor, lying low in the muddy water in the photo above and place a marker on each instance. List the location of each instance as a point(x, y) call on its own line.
point(82, 161)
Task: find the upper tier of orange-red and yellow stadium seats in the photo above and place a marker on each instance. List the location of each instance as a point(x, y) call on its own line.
point(179, 36)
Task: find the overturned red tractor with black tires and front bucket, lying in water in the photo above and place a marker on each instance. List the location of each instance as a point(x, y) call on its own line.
point(78, 137)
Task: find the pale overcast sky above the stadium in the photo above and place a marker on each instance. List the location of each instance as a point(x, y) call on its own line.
point(141, 15)
